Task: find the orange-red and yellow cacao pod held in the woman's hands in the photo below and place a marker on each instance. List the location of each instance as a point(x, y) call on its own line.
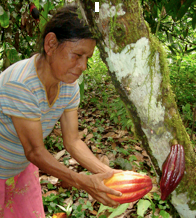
point(132, 185)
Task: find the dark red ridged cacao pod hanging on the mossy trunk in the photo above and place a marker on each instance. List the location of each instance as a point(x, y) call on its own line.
point(172, 170)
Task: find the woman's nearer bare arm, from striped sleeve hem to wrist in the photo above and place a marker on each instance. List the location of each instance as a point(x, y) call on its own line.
point(30, 135)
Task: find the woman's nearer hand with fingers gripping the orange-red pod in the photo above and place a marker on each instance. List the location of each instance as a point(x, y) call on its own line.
point(94, 185)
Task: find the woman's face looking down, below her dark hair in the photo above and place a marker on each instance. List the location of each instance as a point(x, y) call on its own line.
point(69, 59)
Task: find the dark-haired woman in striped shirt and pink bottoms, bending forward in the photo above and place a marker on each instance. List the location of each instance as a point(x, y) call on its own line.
point(34, 94)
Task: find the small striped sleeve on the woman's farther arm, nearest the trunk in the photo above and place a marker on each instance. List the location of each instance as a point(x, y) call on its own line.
point(75, 99)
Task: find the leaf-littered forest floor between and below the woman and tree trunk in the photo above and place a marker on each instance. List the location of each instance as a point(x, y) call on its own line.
point(106, 129)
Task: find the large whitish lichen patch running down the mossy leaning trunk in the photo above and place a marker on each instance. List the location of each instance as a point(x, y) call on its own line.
point(134, 70)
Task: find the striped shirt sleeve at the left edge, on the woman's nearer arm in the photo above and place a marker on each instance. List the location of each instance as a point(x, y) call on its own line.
point(17, 100)
